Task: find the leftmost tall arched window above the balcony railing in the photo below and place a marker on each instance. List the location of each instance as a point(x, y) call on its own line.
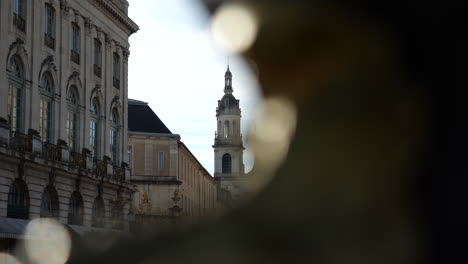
point(15, 93)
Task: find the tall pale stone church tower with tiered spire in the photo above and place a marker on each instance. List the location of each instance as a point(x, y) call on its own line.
point(228, 147)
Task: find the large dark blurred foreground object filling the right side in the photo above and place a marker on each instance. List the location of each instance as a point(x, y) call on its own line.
point(376, 166)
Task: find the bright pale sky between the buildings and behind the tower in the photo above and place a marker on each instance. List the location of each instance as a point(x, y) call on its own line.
point(175, 67)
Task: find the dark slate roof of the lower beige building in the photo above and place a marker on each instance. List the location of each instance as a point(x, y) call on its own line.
point(141, 118)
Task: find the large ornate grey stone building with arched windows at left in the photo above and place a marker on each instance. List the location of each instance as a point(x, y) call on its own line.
point(63, 111)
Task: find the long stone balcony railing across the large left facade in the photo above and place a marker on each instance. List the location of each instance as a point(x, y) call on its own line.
point(31, 146)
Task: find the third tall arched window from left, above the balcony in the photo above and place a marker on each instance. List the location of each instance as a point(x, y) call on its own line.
point(72, 118)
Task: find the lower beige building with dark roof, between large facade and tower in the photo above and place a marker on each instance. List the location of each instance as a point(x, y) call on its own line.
point(164, 170)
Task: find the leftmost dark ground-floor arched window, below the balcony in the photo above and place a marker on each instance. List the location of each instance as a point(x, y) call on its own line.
point(18, 200)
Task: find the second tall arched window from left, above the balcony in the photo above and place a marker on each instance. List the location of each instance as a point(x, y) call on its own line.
point(45, 106)
